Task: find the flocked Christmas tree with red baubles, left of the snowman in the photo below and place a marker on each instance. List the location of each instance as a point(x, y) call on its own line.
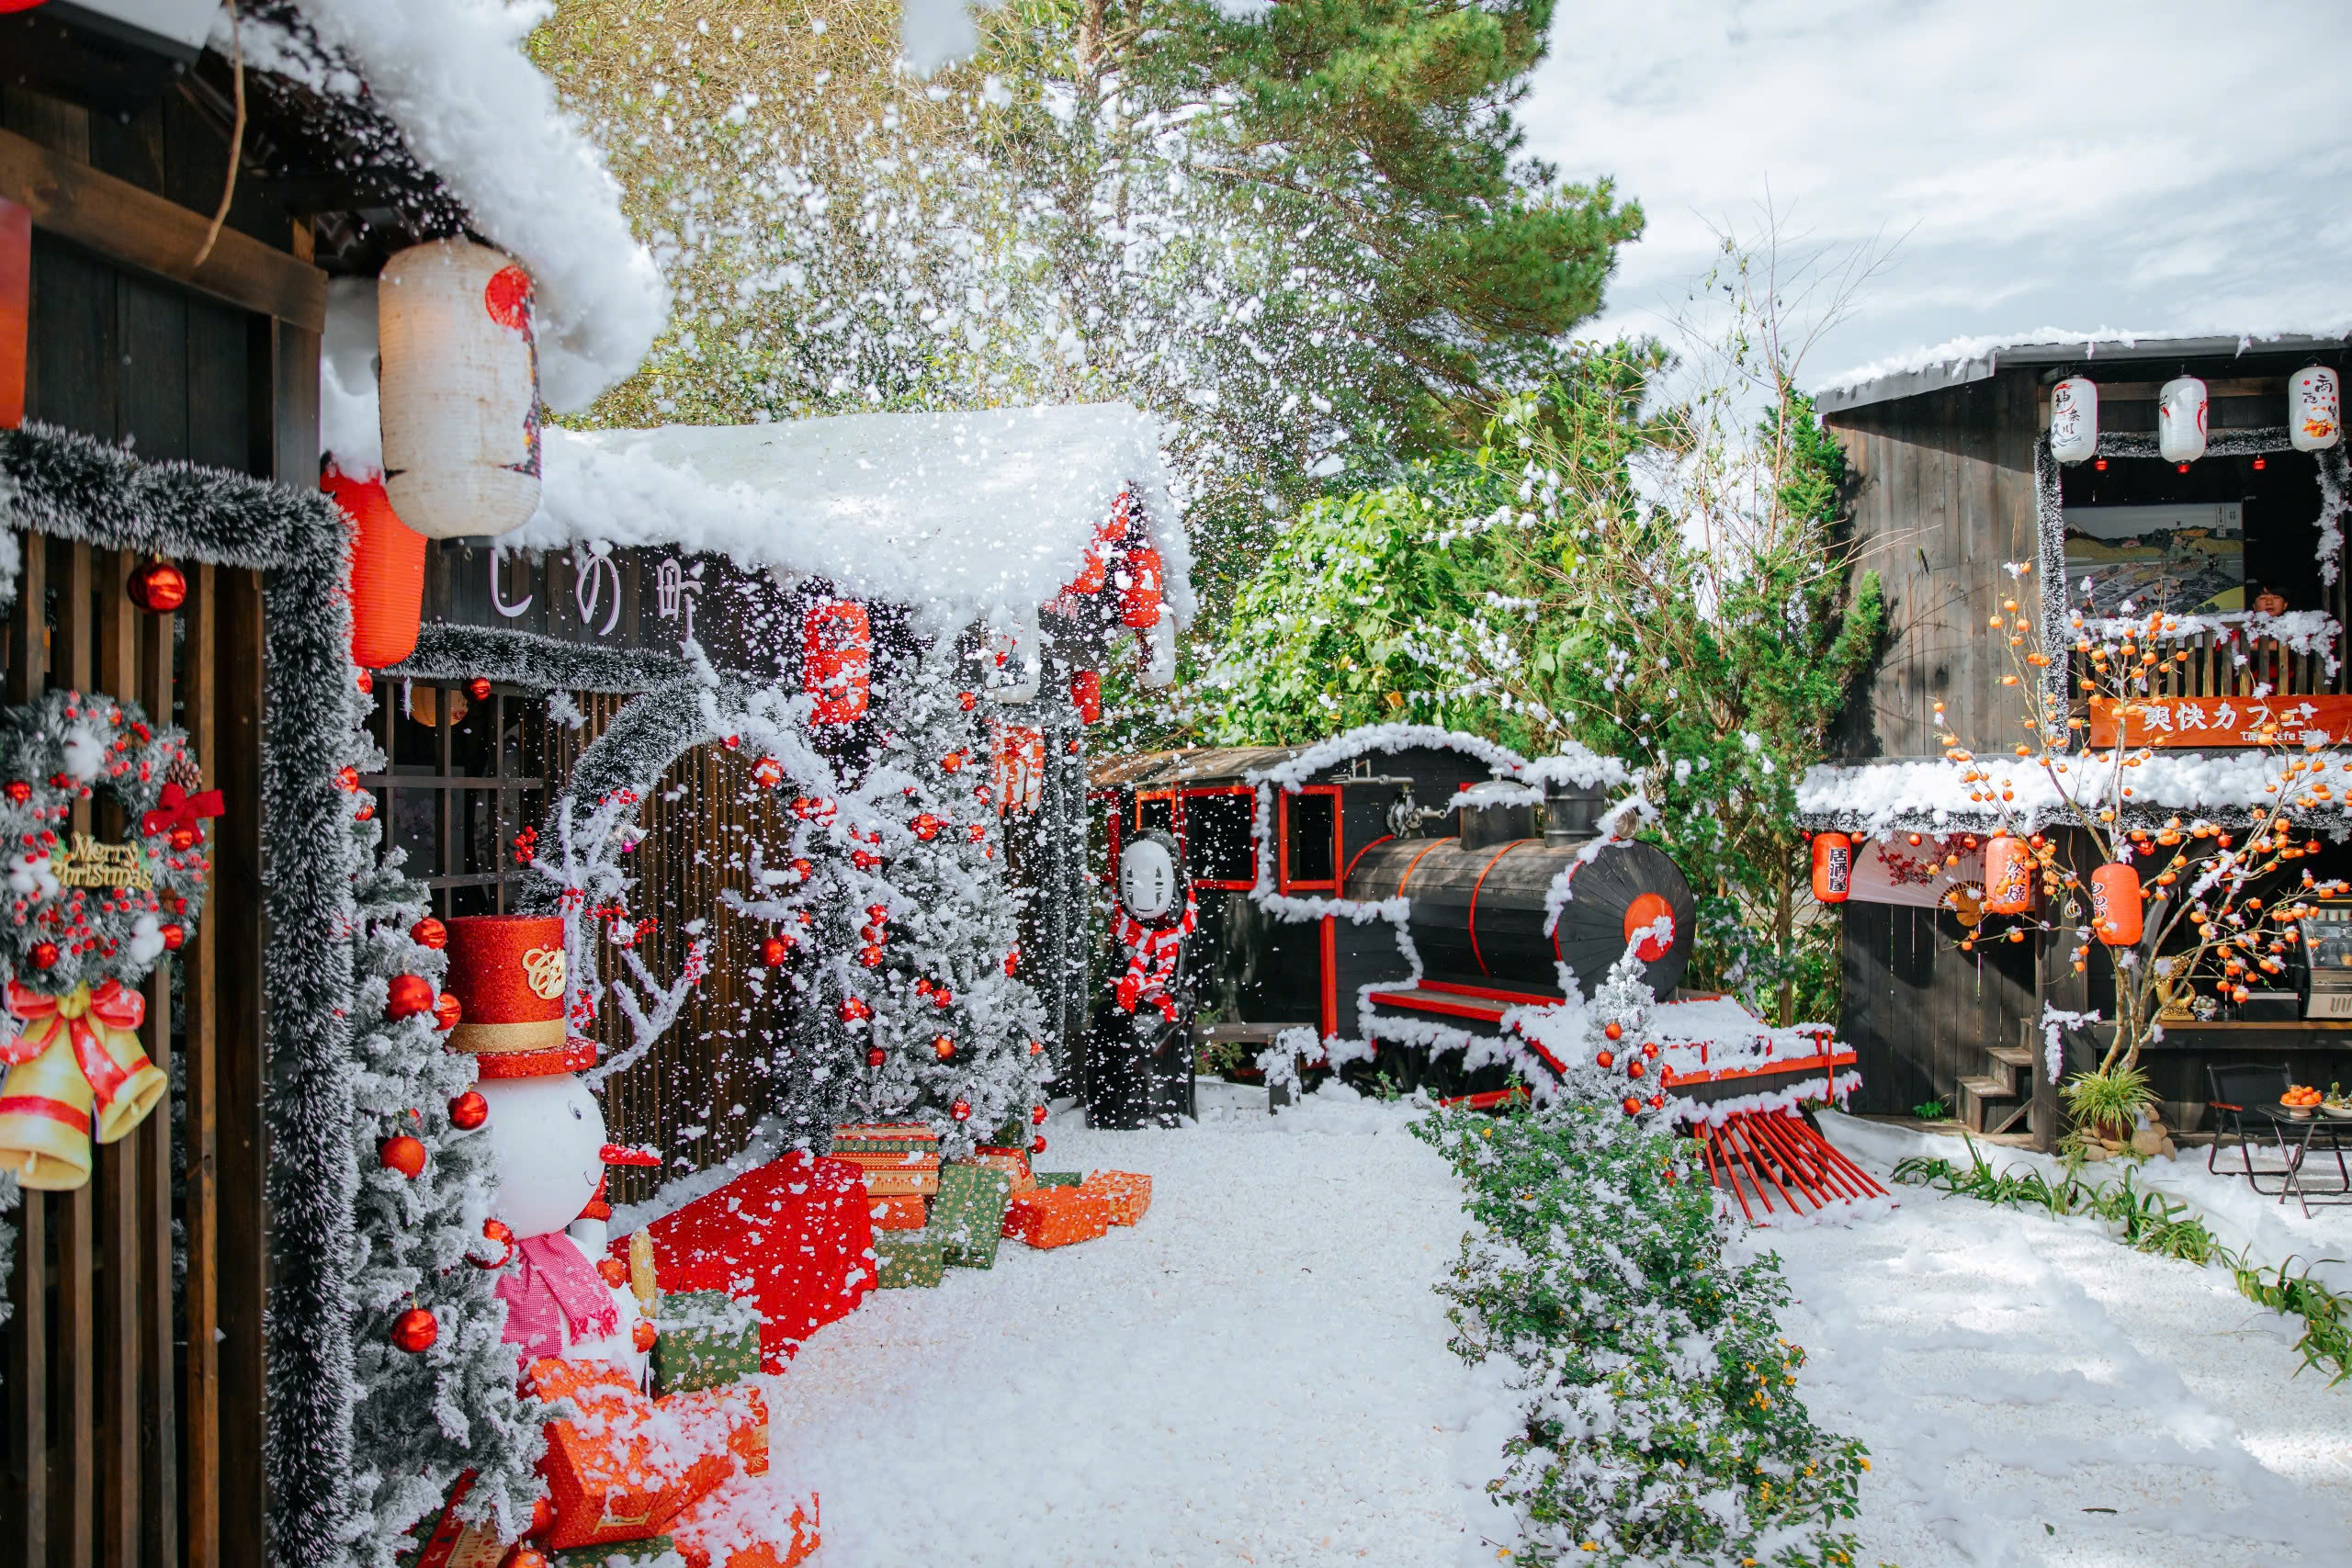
point(436, 1383)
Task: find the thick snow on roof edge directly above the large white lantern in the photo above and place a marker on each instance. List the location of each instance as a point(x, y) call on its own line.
point(479, 114)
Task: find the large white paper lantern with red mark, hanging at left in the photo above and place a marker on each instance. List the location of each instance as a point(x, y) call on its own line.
point(460, 389)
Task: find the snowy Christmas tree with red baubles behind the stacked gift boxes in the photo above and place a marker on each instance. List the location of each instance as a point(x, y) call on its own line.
point(937, 927)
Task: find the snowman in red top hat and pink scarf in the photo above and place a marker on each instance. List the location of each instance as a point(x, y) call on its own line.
point(549, 1141)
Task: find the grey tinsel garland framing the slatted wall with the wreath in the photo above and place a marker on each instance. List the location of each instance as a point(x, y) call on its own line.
point(76, 488)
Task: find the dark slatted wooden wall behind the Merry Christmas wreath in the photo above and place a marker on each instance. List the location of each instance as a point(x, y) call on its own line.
point(133, 1372)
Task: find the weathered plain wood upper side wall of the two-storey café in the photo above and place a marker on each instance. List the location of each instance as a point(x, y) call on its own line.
point(1944, 495)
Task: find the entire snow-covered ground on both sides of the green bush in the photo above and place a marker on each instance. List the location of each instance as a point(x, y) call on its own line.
point(1259, 1376)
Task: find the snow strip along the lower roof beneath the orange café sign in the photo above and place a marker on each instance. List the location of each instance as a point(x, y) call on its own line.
point(1927, 793)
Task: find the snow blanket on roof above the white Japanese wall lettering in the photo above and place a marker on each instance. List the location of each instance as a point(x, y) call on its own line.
point(949, 514)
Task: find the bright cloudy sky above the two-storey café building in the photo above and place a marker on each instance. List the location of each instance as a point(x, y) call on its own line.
point(2151, 166)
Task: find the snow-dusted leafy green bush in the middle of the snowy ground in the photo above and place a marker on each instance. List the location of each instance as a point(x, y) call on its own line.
point(1659, 1412)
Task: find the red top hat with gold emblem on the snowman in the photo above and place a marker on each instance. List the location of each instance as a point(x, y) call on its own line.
point(507, 974)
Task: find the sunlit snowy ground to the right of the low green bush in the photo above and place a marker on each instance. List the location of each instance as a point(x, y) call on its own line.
point(2036, 1393)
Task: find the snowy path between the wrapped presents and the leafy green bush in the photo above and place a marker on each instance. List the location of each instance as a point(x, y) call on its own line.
point(1248, 1376)
